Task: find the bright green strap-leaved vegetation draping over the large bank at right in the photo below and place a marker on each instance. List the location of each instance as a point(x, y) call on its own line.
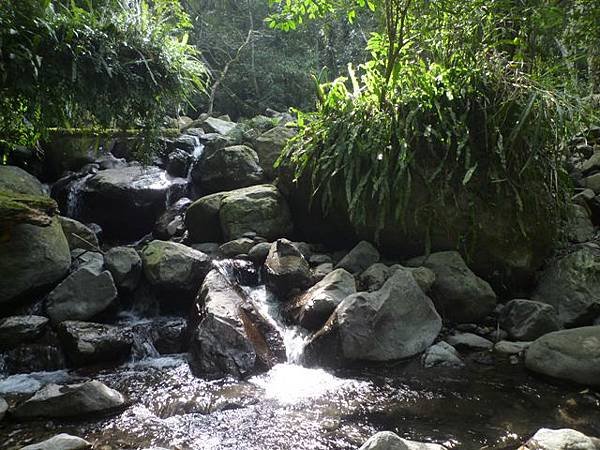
point(471, 102)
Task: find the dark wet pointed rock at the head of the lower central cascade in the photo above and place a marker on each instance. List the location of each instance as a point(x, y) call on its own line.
point(286, 270)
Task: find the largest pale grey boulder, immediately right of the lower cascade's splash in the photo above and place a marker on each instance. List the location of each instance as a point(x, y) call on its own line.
point(397, 321)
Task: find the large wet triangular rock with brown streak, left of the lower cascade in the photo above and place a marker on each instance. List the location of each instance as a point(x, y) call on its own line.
point(231, 337)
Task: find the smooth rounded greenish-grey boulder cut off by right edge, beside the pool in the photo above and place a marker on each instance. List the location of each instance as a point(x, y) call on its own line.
point(572, 355)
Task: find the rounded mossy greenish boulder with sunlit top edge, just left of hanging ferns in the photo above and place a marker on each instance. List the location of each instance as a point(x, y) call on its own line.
point(260, 209)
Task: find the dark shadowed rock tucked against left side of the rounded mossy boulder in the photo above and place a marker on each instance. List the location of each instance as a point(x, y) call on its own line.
point(202, 218)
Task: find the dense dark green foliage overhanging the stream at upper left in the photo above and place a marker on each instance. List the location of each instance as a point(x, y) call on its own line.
point(92, 63)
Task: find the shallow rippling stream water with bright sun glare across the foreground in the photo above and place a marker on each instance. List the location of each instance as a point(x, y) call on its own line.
point(292, 407)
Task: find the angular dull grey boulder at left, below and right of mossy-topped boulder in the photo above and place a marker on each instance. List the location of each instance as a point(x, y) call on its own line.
point(81, 296)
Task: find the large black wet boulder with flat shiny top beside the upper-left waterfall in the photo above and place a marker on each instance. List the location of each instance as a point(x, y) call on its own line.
point(125, 201)
